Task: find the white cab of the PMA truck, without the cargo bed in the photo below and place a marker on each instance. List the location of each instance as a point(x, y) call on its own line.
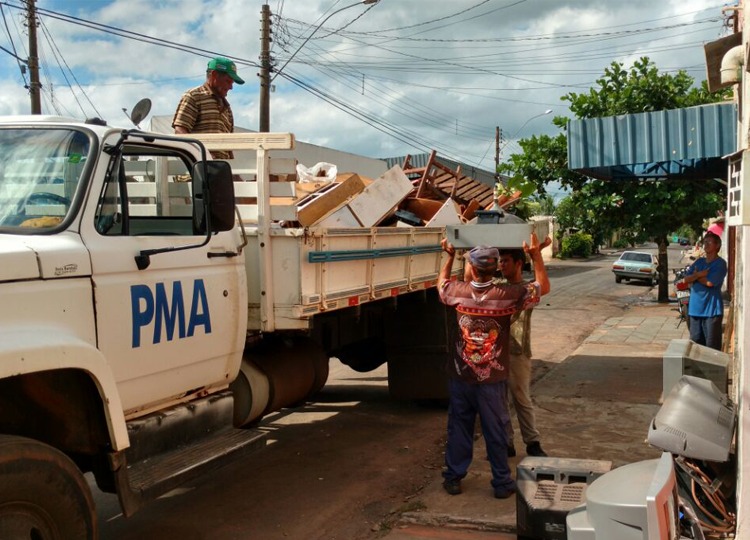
point(124, 294)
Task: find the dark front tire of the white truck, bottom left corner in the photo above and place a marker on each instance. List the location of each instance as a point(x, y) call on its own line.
point(43, 495)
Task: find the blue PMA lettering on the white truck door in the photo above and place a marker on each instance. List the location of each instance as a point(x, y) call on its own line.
point(152, 308)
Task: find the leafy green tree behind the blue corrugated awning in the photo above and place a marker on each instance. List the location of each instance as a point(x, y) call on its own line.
point(642, 206)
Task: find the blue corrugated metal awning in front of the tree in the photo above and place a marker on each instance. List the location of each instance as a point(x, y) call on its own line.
point(686, 143)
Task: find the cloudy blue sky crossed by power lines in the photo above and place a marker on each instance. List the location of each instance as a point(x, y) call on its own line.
point(396, 77)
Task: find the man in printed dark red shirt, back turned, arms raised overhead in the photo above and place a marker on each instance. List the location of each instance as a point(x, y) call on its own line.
point(479, 364)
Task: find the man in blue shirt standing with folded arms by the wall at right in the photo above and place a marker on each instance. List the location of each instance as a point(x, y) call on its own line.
point(706, 309)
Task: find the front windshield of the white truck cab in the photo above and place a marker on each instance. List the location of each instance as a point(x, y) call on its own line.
point(40, 172)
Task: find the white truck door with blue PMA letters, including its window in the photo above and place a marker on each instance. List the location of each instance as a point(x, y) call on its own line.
point(177, 327)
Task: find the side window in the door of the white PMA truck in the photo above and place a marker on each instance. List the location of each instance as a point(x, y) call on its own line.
point(148, 193)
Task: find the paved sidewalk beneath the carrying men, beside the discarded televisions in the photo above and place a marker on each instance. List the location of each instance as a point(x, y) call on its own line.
point(595, 405)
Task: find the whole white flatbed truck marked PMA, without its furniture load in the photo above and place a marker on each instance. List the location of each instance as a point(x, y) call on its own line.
point(148, 322)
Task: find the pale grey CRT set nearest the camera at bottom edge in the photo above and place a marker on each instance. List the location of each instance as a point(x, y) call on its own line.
point(635, 501)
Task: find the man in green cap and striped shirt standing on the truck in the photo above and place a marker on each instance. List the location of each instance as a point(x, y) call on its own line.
point(205, 109)
